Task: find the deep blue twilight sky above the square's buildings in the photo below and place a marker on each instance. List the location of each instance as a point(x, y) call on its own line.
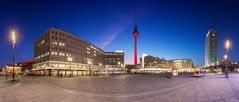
point(169, 29)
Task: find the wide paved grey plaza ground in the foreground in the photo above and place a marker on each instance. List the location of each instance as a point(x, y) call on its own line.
point(126, 88)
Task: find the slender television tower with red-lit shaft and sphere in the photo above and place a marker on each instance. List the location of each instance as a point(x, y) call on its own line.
point(135, 34)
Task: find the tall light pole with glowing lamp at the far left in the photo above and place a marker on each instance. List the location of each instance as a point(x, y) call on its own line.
point(13, 55)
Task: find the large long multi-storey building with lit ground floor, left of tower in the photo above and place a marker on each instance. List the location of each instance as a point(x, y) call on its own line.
point(59, 52)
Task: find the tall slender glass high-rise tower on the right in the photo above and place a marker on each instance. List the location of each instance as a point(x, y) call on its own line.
point(211, 47)
